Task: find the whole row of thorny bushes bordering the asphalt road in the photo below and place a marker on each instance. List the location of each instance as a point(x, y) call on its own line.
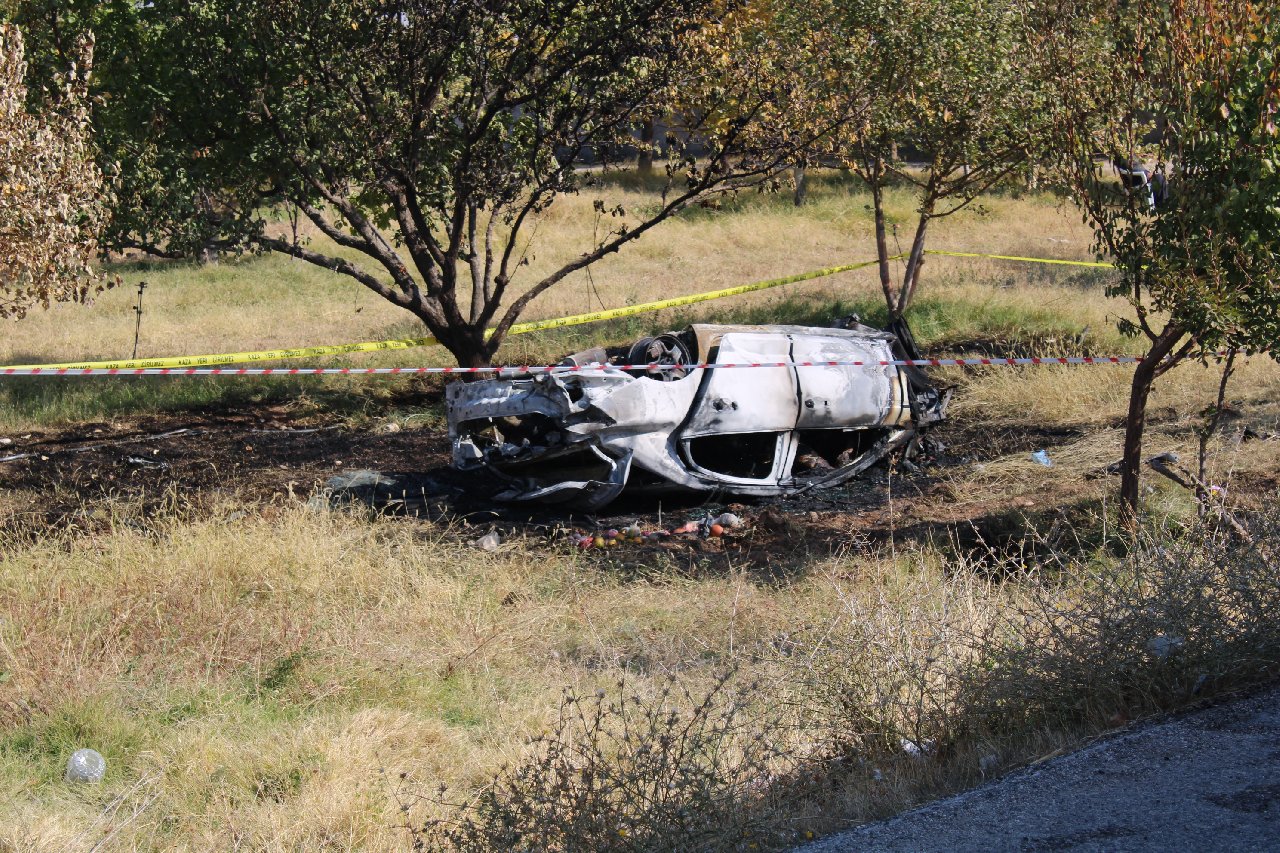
point(927, 681)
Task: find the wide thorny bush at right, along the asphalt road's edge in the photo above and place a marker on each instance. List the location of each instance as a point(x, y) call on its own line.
point(1076, 641)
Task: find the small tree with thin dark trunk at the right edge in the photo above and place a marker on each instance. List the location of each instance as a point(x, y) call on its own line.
point(1194, 90)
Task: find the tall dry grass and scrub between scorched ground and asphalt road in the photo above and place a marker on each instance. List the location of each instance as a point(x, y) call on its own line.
point(294, 679)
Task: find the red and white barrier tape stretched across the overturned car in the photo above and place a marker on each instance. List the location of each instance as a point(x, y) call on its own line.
point(542, 370)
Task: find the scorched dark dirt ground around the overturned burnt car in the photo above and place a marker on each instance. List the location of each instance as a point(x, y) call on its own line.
point(264, 458)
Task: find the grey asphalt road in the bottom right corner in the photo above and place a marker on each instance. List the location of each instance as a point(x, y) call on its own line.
point(1208, 781)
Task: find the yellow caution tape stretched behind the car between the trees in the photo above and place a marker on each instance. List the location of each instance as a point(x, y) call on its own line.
point(520, 329)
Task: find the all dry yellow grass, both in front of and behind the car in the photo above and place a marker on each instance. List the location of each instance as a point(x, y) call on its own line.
point(259, 677)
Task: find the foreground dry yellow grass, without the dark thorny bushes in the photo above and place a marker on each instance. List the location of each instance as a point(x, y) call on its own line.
point(264, 681)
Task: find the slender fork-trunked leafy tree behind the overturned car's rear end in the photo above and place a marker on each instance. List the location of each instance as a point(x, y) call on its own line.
point(953, 84)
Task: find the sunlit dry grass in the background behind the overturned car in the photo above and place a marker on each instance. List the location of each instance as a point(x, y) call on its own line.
point(267, 303)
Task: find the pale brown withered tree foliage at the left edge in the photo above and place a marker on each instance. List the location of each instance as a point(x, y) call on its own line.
point(52, 194)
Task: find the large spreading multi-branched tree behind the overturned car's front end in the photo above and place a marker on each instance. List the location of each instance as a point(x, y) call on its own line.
point(423, 138)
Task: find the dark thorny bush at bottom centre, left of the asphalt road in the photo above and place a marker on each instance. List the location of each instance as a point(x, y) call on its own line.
point(678, 770)
